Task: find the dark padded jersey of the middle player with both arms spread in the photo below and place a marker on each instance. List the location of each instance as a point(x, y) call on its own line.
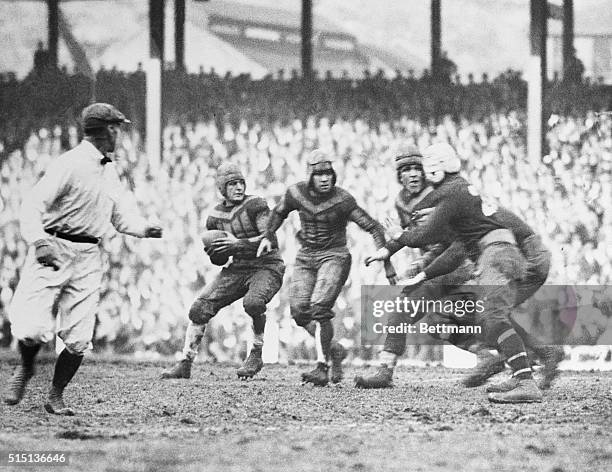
point(323, 218)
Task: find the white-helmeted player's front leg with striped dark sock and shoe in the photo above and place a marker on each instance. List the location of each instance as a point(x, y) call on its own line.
point(499, 266)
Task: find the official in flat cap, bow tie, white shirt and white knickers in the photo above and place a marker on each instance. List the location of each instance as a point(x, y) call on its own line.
point(64, 219)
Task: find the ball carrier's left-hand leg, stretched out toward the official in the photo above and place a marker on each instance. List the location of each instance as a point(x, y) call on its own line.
point(224, 290)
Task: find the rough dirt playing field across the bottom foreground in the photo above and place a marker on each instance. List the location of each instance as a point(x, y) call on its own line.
point(128, 420)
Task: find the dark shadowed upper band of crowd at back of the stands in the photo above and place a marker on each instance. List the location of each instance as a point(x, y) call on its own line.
point(48, 97)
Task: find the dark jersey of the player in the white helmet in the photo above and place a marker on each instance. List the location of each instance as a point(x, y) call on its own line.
point(458, 210)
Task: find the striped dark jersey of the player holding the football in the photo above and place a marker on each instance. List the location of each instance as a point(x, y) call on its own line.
point(246, 221)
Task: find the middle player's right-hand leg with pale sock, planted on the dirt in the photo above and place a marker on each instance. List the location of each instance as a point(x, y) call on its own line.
point(333, 271)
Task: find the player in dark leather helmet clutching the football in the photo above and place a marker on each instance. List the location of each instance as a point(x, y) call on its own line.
point(242, 219)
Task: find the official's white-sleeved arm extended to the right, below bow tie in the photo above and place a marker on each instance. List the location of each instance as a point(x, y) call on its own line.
point(126, 217)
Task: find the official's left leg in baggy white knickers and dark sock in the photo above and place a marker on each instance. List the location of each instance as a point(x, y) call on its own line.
point(31, 316)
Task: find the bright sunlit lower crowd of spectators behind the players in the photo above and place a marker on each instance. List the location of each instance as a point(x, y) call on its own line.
point(150, 284)
